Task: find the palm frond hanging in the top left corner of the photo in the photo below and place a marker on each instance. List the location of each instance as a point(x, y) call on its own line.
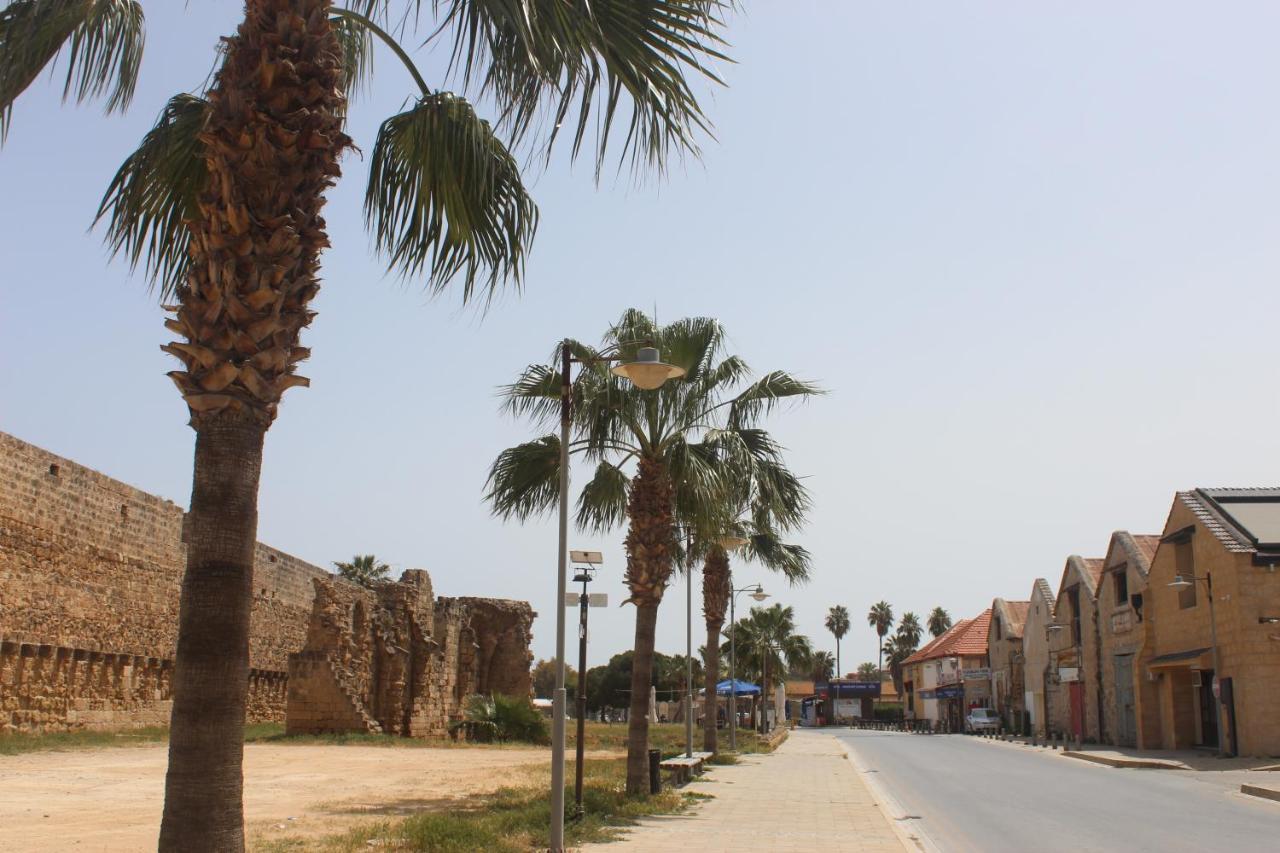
point(103, 40)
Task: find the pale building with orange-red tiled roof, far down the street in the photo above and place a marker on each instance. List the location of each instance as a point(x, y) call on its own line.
point(950, 674)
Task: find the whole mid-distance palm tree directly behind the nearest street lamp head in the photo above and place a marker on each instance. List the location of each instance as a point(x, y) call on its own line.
point(653, 450)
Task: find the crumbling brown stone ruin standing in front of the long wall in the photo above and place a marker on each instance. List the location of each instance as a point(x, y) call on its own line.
point(399, 662)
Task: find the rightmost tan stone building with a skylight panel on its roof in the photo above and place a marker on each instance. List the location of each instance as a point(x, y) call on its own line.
point(1231, 539)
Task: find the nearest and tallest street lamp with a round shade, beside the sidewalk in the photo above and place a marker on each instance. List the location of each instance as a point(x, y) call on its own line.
point(647, 373)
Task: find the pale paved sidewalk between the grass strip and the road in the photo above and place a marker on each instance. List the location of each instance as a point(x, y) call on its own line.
point(804, 797)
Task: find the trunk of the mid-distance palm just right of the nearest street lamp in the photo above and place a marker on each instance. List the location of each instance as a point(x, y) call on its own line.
point(650, 562)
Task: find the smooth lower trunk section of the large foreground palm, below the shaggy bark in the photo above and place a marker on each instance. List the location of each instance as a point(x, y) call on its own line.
point(204, 806)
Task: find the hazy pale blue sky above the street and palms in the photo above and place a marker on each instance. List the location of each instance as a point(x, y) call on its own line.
point(1026, 248)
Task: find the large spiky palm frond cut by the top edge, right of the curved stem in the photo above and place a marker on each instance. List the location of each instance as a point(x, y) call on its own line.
point(574, 62)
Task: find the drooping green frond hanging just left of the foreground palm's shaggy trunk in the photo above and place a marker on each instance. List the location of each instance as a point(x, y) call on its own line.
point(156, 191)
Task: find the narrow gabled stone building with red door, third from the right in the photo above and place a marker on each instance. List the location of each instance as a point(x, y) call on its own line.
point(1072, 688)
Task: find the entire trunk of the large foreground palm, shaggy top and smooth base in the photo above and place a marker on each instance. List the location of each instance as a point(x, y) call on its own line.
point(272, 148)
